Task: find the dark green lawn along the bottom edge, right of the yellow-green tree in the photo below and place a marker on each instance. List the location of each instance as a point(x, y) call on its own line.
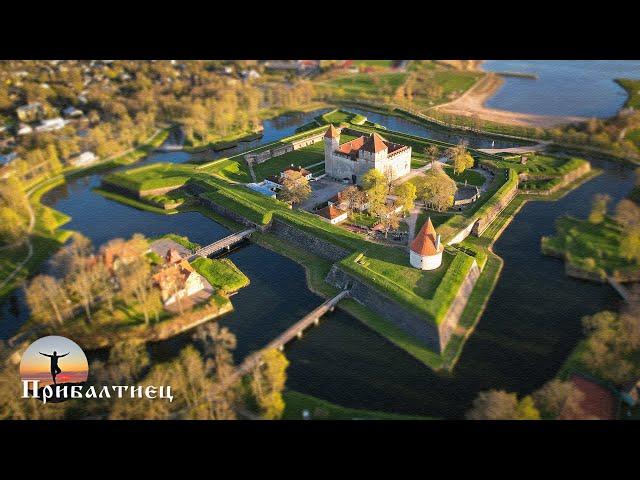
point(319, 409)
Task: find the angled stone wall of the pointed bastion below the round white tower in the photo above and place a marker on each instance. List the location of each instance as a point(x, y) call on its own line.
point(434, 337)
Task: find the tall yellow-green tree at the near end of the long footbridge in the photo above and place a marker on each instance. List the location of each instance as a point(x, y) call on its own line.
point(267, 384)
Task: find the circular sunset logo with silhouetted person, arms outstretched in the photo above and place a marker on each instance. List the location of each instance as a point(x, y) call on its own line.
point(54, 361)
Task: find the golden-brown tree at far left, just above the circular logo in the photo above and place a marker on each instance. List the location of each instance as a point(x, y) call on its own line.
point(44, 297)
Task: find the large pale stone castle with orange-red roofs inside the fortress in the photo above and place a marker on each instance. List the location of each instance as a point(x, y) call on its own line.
point(353, 159)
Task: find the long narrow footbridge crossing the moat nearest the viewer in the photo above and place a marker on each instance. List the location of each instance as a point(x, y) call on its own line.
point(295, 331)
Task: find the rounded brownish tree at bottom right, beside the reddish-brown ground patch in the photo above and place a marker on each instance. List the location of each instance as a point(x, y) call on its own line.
point(557, 399)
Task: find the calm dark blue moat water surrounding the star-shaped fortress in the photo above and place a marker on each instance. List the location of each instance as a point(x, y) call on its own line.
point(531, 322)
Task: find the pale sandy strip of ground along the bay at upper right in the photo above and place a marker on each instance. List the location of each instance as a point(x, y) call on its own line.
point(471, 103)
